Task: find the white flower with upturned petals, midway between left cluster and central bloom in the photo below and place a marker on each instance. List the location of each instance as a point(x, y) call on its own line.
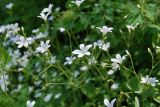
point(43, 46)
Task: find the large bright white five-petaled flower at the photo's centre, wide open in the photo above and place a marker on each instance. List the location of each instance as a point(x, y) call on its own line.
point(83, 50)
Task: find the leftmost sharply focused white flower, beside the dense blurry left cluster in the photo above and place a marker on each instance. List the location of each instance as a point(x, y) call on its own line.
point(24, 42)
